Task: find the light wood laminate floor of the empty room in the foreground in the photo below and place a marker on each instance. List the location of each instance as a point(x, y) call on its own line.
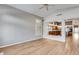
point(39, 47)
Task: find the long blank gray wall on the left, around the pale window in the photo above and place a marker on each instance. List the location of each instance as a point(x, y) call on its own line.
point(16, 26)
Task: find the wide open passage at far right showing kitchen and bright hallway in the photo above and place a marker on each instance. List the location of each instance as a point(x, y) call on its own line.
point(72, 35)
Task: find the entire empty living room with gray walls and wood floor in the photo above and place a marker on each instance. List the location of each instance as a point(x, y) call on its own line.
point(36, 27)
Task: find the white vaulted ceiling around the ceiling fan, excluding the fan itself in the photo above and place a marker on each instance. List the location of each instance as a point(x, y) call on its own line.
point(35, 8)
